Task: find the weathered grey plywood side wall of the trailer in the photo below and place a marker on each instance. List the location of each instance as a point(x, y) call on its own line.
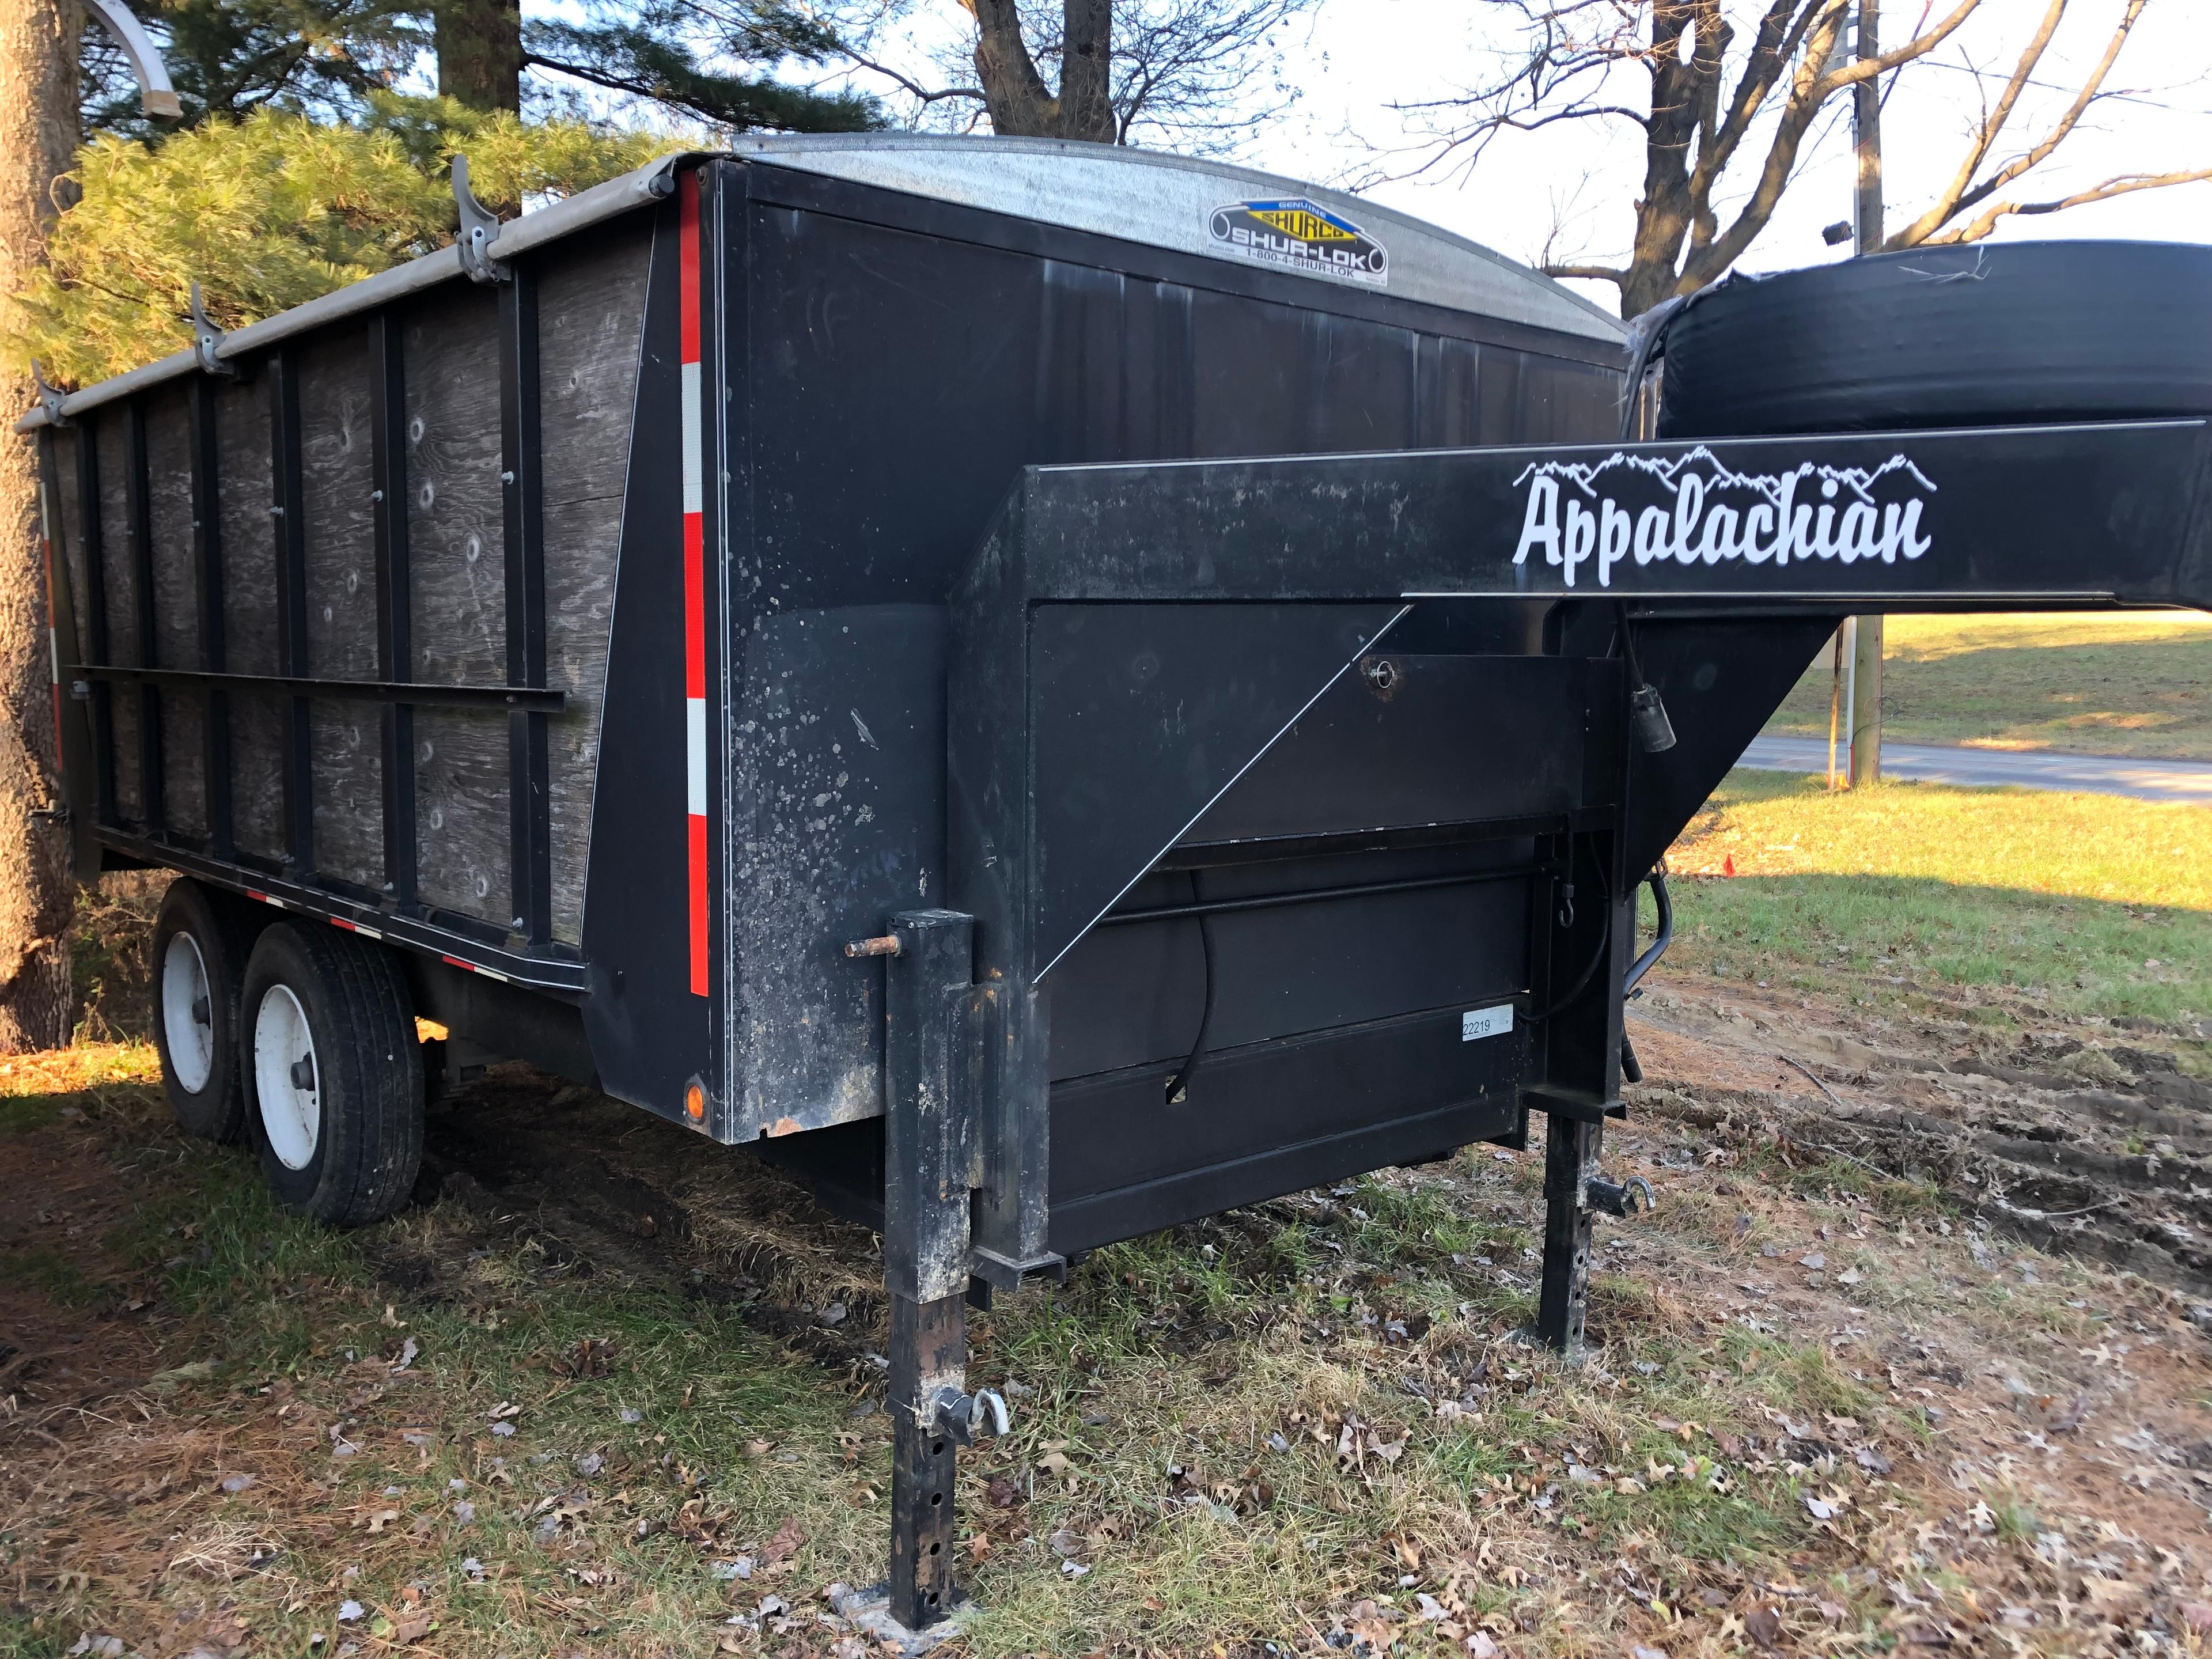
point(450, 512)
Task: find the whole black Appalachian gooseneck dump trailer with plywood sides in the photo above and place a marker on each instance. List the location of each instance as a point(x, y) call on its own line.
point(1052, 691)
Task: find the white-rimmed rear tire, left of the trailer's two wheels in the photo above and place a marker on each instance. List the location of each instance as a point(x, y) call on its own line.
point(200, 946)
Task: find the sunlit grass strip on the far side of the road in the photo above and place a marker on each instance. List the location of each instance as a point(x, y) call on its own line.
point(2136, 685)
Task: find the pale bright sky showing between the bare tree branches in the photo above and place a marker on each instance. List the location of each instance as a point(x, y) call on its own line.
point(1364, 67)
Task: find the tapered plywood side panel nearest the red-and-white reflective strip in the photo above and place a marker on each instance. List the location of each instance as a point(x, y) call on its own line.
point(592, 317)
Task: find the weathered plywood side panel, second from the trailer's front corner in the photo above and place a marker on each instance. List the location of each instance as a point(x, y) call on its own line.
point(457, 547)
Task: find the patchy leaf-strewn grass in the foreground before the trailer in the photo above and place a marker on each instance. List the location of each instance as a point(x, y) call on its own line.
point(1182, 1430)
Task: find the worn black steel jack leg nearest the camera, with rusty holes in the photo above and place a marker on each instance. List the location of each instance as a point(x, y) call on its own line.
point(928, 1158)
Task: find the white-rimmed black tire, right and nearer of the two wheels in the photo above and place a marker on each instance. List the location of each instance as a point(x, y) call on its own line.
point(333, 1074)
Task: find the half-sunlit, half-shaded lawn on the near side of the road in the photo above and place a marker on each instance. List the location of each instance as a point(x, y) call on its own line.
point(2076, 901)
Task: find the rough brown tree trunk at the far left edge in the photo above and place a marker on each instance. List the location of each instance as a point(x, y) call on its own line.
point(39, 136)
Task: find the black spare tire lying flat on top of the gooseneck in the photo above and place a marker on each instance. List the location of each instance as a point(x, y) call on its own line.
point(2021, 333)
